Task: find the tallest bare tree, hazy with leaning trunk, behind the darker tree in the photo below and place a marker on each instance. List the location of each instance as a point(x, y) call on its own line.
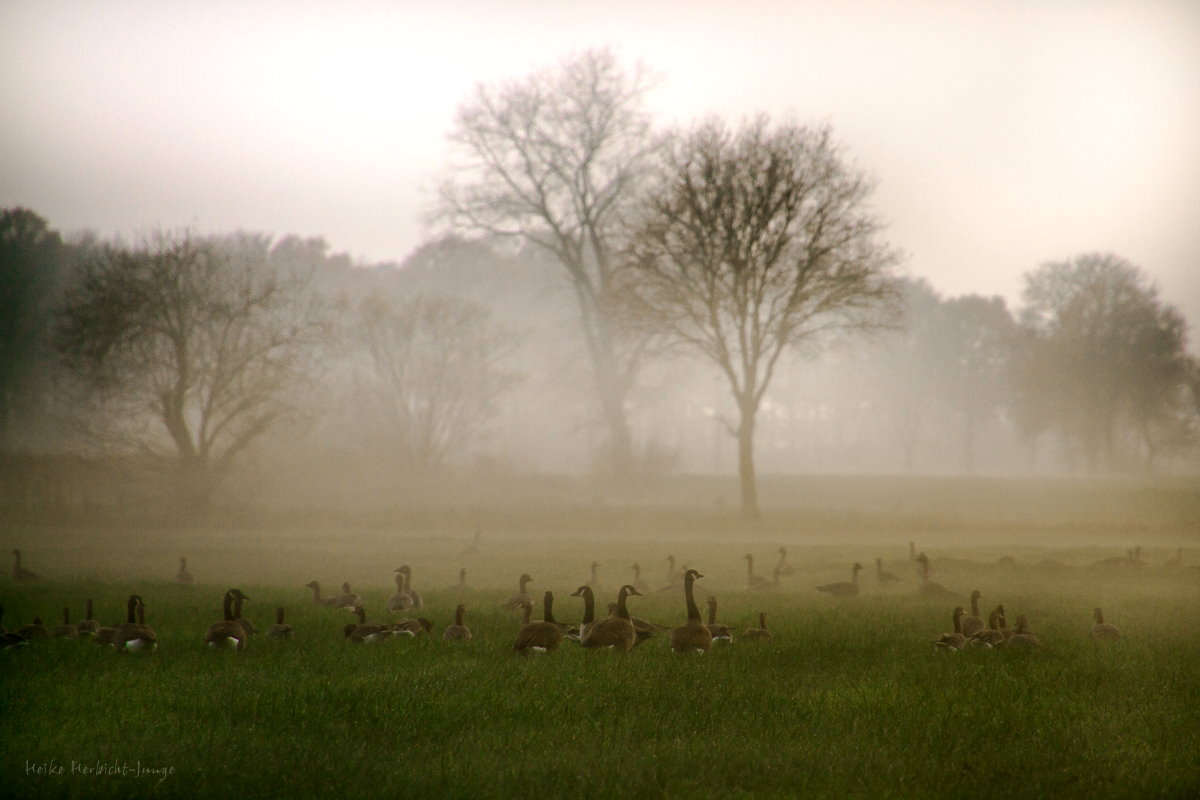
point(554, 160)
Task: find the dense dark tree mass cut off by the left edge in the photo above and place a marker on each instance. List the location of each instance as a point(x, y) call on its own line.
point(32, 262)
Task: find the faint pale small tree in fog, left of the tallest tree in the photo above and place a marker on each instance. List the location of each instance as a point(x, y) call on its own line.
point(436, 372)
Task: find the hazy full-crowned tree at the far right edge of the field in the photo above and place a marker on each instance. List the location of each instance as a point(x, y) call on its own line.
point(1102, 362)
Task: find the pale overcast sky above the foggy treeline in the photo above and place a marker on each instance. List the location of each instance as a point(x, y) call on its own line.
point(1003, 134)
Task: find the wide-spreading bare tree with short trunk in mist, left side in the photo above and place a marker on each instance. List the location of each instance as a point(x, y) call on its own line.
point(190, 348)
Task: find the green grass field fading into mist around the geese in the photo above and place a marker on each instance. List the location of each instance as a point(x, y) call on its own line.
point(849, 699)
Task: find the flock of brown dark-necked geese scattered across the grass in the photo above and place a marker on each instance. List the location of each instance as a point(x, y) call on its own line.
point(619, 630)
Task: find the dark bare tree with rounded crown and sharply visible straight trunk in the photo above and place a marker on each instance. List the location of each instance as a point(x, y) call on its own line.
point(753, 243)
